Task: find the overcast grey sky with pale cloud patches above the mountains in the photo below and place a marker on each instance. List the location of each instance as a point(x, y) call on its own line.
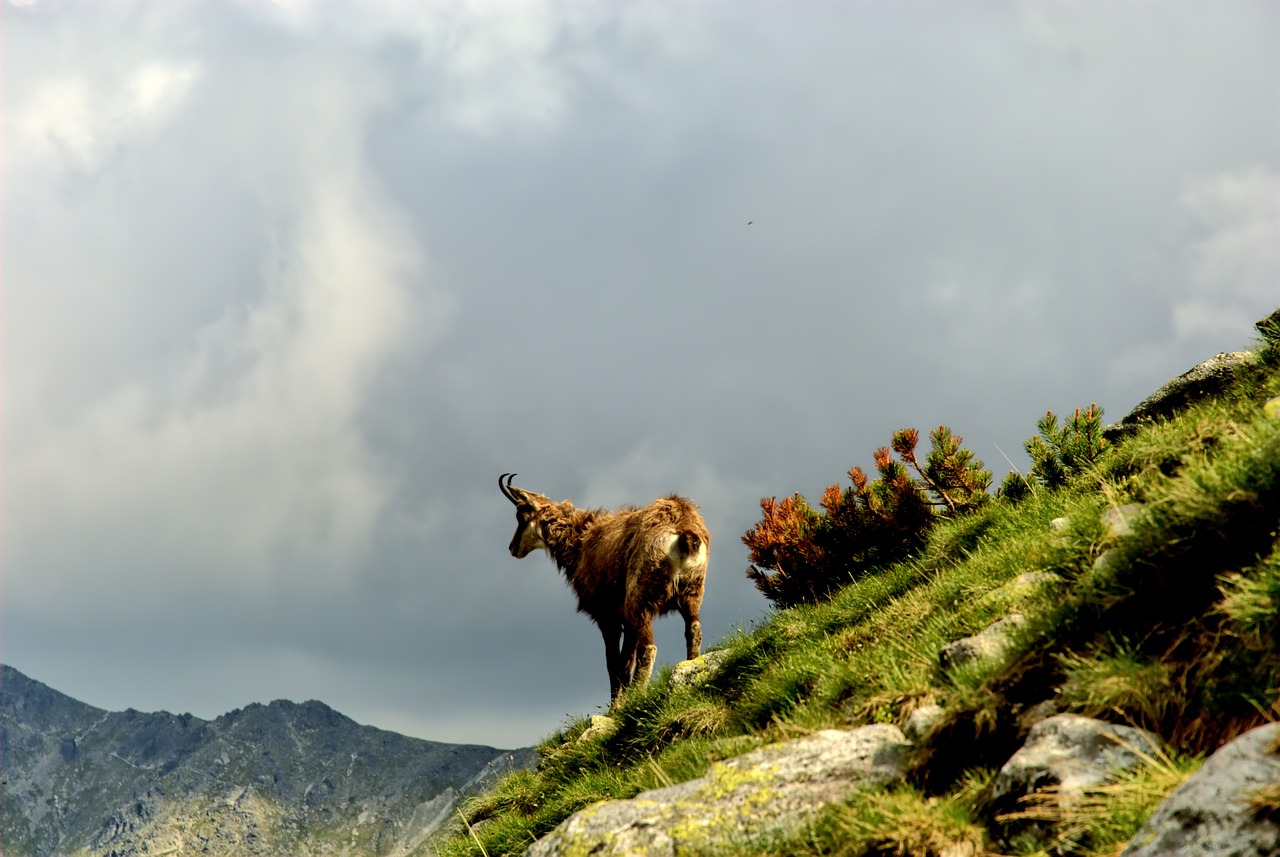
point(289, 286)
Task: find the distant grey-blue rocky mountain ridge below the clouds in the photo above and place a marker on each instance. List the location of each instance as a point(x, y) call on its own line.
point(267, 780)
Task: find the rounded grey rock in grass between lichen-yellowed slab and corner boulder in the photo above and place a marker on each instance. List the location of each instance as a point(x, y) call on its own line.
point(1069, 754)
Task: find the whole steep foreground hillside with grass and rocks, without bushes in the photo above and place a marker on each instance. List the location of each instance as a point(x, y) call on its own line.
point(1045, 675)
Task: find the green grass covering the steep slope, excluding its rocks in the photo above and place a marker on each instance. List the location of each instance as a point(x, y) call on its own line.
point(1176, 634)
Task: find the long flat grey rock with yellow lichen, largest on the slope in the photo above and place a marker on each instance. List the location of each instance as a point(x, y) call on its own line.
point(767, 792)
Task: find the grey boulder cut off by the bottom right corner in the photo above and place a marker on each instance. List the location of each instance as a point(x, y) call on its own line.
point(1209, 815)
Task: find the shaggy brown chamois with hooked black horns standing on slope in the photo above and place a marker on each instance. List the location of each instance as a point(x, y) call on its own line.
point(628, 569)
